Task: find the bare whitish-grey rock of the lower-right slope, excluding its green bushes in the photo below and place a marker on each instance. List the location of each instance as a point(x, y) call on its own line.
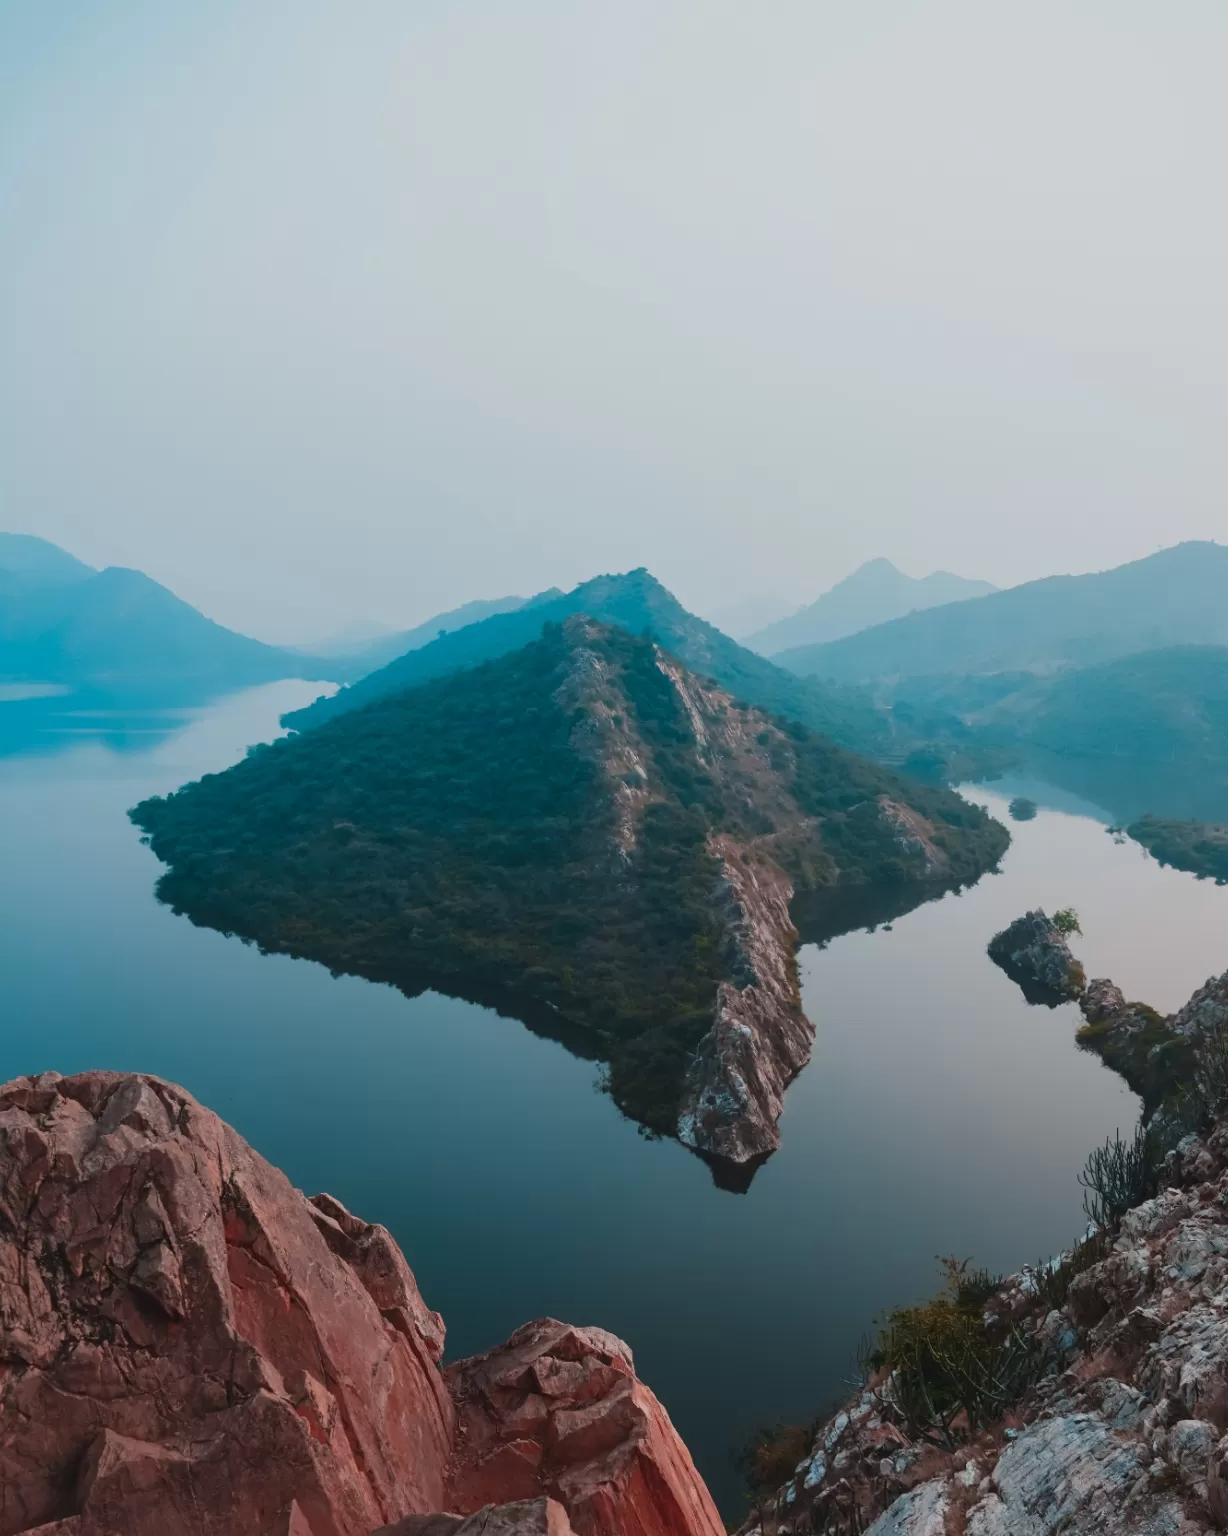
point(1124, 1434)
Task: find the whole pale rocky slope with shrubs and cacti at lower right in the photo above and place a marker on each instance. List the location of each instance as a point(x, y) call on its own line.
point(1087, 1395)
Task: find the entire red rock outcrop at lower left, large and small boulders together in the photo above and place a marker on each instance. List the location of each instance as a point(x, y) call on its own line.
point(193, 1348)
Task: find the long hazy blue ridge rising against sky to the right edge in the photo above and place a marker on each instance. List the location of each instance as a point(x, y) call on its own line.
point(1175, 598)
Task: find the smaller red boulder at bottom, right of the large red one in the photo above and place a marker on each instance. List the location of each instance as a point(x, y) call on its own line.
point(560, 1409)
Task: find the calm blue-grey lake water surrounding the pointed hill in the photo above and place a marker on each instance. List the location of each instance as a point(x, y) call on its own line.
point(941, 1113)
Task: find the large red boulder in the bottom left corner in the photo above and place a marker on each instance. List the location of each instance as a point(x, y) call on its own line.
point(181, 1348)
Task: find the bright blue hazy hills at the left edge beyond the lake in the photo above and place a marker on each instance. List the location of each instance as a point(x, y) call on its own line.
point(62, 621)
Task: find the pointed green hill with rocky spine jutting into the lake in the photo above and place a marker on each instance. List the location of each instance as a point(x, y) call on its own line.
point(588, 835)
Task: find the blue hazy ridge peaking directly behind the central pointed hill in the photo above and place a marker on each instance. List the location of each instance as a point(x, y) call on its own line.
point(640, 604)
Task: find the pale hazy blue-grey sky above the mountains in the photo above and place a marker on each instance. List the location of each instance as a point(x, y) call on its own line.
point(319, 311)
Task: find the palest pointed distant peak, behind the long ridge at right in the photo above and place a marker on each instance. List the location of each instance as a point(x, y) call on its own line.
point(875, 594)
